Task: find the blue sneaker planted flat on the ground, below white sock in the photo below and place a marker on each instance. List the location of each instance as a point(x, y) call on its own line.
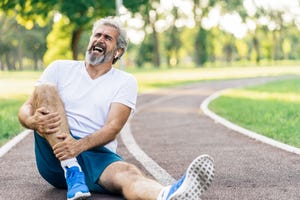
point(77, 188)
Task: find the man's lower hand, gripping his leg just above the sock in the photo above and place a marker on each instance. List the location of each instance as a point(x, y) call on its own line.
point(68, 148)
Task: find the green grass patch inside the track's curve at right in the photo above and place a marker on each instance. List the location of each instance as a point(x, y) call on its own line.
point(272, 109)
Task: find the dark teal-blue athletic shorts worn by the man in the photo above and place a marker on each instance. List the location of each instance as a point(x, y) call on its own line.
point(93, 162)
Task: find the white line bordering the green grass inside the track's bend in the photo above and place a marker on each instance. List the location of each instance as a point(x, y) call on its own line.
point(251, 134)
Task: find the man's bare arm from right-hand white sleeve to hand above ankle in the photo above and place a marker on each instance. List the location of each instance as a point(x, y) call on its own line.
point(117, 117)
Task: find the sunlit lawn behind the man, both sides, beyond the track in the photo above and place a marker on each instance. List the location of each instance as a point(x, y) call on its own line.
point(16, 86)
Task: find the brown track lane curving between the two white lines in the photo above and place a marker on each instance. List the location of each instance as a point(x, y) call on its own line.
point(174, 131)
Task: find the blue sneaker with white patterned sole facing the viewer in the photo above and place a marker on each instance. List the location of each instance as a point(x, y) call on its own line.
point(194, 182)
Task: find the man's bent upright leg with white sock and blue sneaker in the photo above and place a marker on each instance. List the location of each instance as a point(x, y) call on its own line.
point(47, 96)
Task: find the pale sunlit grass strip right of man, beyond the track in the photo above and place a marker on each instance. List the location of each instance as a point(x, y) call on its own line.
point(152, 79)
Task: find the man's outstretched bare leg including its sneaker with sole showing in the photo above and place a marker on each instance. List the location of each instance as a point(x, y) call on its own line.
point(127, 179)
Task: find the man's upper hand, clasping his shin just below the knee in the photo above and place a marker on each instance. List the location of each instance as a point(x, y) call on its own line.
point(45, 122)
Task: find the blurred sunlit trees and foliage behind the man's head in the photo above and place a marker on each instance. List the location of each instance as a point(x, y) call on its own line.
point(163, 33)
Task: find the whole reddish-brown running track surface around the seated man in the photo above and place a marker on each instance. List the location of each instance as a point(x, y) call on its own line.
point(172, 130)
